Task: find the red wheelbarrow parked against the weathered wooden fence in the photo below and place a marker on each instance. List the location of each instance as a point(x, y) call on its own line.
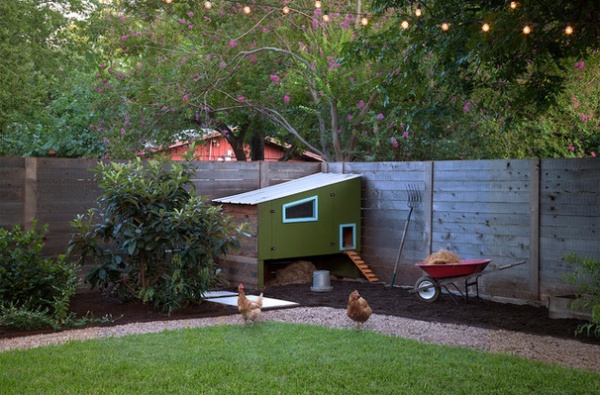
point(428, 288)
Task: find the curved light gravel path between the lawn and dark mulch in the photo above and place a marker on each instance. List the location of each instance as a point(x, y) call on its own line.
point(569, 353)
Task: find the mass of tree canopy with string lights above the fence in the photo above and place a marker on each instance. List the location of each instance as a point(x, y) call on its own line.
point(397, 87)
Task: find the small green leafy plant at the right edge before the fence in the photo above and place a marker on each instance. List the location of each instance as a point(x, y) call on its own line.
point(586, 276)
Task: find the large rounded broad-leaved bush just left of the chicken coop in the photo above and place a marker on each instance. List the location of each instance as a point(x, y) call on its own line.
point(154, 239)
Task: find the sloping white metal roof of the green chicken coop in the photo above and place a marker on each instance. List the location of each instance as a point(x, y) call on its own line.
point(289, 188)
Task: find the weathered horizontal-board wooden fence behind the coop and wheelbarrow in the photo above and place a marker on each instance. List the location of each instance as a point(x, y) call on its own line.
point(506, 210)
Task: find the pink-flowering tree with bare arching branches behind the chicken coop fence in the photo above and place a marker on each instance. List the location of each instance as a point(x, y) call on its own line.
point(171, 67)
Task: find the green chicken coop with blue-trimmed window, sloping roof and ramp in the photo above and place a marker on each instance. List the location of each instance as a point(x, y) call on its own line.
point(317, 217)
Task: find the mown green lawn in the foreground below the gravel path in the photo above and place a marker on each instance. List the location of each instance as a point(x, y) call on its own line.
point(277, 358)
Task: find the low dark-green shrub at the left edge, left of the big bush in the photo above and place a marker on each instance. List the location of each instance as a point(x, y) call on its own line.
point(34, 291)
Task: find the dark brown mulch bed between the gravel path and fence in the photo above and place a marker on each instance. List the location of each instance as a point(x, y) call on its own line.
point(390, 301)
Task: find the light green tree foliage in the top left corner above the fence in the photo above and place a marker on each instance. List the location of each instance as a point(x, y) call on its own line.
point(41, 47)
